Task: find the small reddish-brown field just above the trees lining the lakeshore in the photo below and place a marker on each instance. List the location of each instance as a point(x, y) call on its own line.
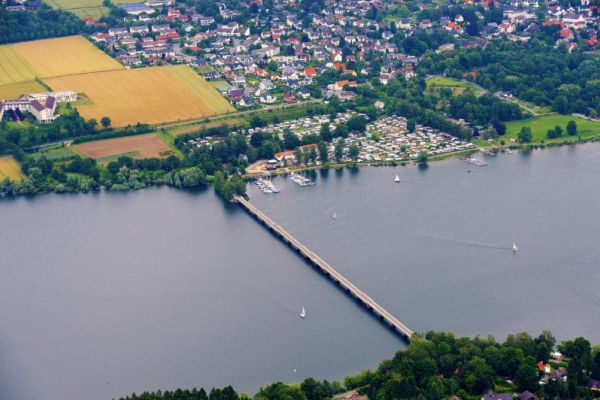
point(139, 146)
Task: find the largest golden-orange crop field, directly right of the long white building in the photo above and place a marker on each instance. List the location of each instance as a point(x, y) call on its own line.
point(148, 95)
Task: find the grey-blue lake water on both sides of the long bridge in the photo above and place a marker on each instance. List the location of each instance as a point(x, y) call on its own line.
point(106, 294)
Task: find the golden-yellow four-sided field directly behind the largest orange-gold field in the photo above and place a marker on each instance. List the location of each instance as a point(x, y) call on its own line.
point(65, 56)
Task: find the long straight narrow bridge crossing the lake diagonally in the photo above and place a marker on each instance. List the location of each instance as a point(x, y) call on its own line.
point(311, 257)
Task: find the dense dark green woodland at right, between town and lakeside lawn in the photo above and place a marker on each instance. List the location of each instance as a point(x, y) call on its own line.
point(533, 71)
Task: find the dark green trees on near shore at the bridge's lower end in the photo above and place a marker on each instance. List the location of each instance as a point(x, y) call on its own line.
point(439, 365)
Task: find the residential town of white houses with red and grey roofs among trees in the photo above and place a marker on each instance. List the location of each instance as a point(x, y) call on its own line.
point(261, 53)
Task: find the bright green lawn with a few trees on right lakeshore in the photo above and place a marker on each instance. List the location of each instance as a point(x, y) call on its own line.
point(540, 125)
